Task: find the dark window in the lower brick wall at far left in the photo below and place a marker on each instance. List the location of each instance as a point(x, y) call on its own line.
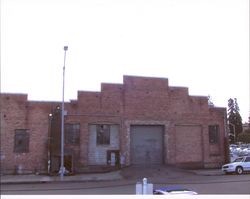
point(21, 142)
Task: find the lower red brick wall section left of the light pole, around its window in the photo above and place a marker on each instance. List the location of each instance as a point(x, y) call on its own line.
point(18, 113)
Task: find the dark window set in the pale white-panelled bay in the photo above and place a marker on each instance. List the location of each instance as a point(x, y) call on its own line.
point(103, 134)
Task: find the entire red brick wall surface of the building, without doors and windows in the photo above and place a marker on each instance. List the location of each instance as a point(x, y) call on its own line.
point(139, 100)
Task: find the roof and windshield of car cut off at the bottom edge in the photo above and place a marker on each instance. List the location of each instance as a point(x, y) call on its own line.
point(175, 190)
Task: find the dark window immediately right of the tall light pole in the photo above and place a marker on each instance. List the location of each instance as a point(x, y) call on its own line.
point(72, 133)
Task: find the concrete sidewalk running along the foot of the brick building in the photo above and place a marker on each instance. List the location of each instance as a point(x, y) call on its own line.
point(124, 174)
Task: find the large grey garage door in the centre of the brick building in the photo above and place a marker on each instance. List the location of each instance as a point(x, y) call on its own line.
point(146, 145)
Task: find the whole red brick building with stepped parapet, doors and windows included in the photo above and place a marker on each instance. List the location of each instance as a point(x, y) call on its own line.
point(143, 121)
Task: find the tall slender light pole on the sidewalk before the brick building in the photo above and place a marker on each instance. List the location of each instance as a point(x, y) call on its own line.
point(62, 168)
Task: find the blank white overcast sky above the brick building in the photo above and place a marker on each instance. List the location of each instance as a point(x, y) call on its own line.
point(199, 44)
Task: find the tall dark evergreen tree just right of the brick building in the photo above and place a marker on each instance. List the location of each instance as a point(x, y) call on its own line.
point(234, 120)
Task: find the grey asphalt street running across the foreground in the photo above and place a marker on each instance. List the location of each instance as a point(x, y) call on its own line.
point(202, 184)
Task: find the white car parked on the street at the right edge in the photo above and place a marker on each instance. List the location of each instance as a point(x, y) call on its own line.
point(240, 165)
